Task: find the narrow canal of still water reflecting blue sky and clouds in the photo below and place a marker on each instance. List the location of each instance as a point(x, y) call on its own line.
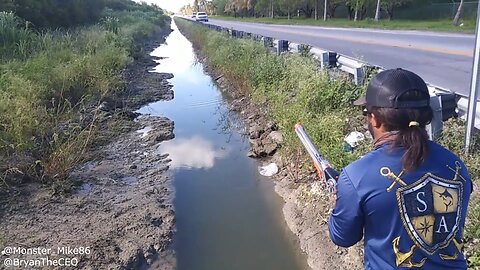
point(227, 216)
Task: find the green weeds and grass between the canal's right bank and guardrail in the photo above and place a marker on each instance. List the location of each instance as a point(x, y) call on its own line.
point(294, 89)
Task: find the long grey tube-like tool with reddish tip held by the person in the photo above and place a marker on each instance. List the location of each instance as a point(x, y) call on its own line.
point(324, 170)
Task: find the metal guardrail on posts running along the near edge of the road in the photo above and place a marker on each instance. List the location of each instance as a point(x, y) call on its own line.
point(356, 68)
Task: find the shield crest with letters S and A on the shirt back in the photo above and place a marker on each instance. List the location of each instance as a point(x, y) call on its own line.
point(430, 210)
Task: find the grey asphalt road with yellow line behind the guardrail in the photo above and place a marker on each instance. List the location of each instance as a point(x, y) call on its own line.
point(442, 59)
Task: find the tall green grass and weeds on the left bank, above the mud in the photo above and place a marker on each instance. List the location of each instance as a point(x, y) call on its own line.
point(47, 77)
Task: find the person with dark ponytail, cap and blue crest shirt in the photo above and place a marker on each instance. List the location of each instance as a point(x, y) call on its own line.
point(408, 197)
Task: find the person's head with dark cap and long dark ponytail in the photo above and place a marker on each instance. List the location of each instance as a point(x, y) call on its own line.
point(398, 100)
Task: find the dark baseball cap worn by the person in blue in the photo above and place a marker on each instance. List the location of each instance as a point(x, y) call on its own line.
point(387, 89)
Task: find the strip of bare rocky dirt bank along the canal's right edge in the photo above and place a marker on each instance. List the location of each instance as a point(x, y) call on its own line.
point(306, 202)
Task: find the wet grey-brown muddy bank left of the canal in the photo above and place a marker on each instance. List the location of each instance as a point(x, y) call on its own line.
point(122, 207)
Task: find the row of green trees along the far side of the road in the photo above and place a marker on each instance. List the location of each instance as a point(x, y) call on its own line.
point(318, 9)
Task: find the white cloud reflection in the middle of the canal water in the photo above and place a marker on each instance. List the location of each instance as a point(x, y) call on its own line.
point(192, 153)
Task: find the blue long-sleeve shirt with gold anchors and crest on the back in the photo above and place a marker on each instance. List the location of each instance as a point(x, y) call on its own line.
point(413, 221)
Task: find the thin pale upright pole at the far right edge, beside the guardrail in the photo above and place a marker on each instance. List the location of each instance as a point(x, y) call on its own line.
point(474, 85)
